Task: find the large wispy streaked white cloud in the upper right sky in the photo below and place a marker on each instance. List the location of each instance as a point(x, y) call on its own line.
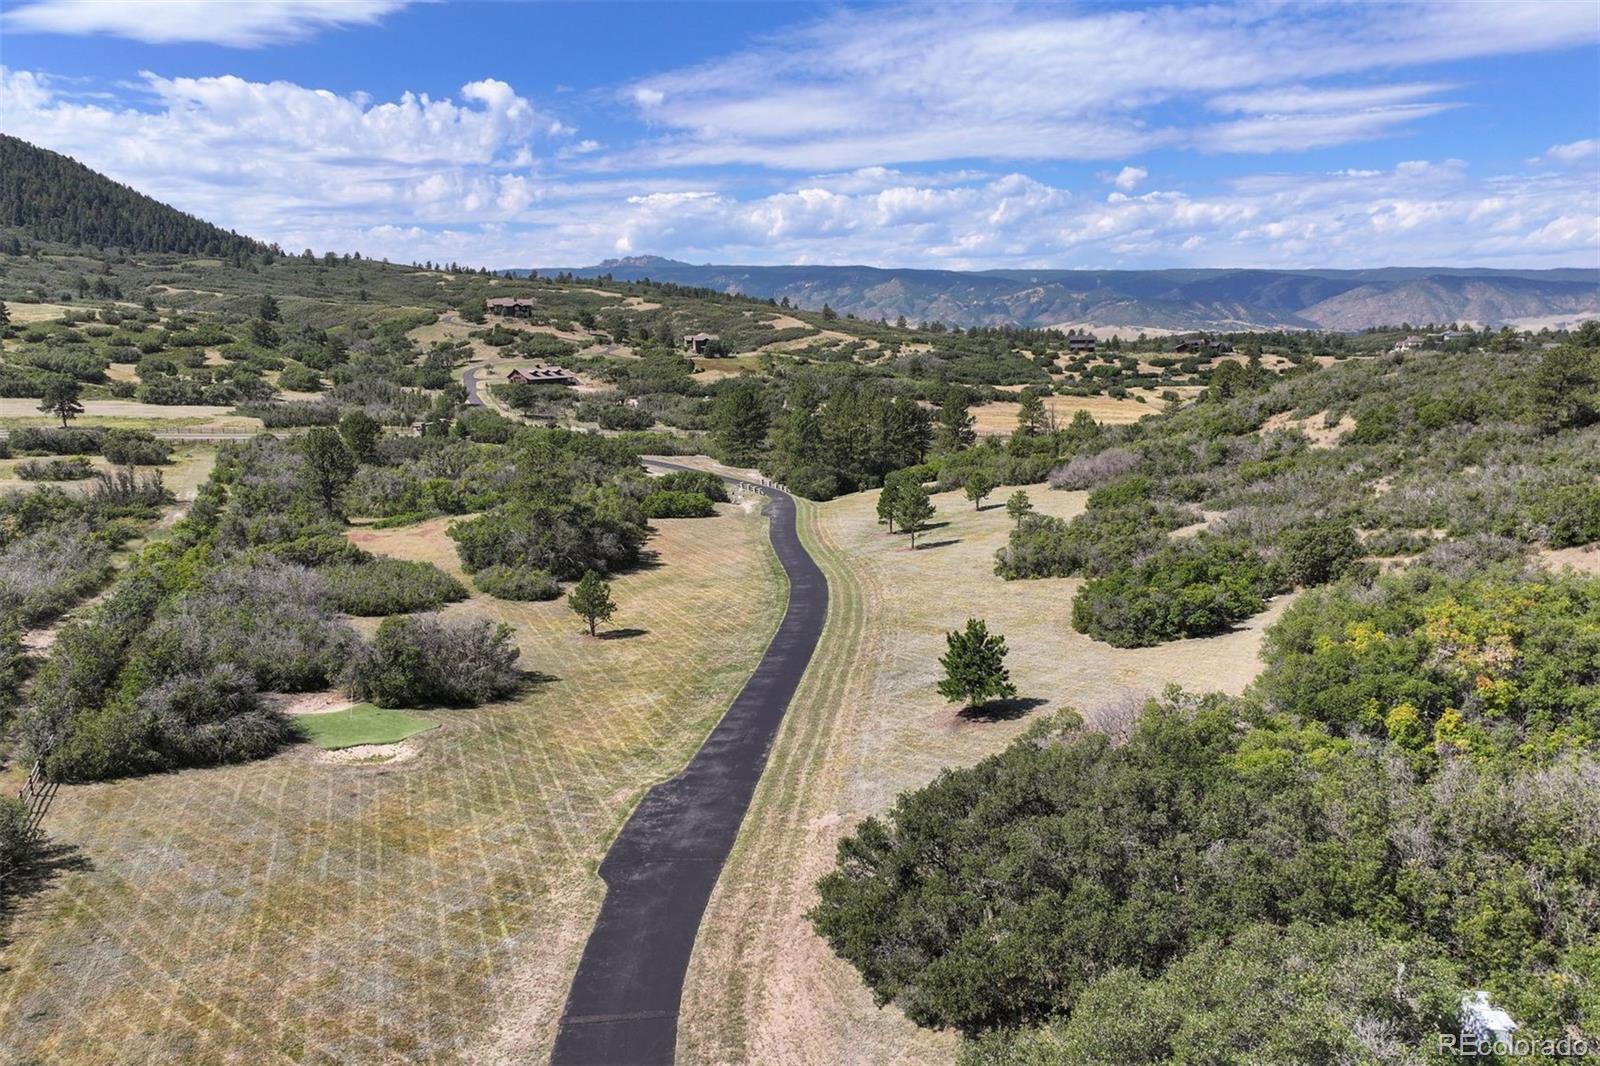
point(918, 84)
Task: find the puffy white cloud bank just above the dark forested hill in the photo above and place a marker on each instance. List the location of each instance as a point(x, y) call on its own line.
point(268, 158)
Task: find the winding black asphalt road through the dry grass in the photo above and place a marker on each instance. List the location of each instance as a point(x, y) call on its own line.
point(623, 1008)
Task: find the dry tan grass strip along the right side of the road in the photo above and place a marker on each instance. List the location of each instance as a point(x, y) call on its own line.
point(870, 724)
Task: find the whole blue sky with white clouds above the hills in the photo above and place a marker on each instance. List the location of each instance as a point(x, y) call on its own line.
point(938, 137)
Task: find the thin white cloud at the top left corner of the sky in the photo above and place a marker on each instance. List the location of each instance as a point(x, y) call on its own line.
point(234, 23)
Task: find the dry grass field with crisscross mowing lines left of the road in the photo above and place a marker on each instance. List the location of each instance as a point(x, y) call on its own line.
point(423, 908)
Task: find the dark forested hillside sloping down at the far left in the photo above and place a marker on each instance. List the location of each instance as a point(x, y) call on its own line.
point(55, 198)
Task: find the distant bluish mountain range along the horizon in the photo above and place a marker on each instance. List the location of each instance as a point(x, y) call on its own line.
point(1129, 302)
